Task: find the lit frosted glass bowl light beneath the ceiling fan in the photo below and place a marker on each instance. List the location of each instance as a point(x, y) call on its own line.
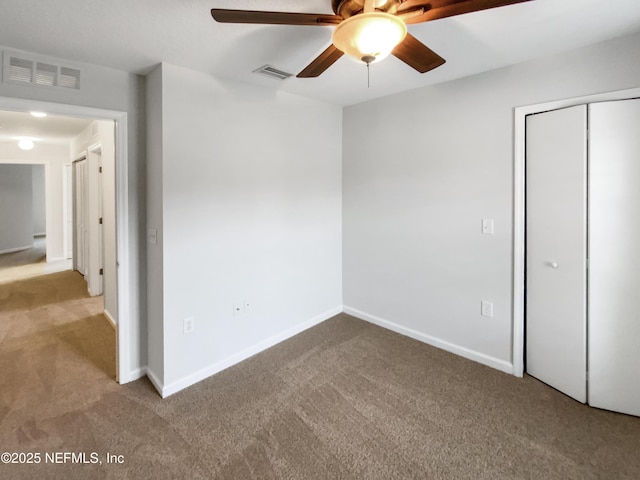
point(369, 37)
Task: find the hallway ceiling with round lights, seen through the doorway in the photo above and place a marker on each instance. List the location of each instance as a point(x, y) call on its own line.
point(51, 129)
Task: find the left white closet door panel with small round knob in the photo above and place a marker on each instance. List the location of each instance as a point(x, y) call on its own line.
point(556, 207)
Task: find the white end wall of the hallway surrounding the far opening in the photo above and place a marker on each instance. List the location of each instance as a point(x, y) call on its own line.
point(53, 157)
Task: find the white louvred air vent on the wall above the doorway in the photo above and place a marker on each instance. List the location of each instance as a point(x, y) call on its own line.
point(24, 68)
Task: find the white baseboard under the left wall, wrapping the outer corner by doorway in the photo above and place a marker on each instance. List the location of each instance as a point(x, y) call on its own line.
point(174, 387)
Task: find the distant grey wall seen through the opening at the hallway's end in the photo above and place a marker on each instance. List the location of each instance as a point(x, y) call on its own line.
point(16, 211)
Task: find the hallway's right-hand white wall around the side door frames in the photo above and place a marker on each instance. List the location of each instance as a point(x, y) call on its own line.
point(101, 134)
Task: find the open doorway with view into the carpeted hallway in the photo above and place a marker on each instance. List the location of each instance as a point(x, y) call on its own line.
point(29, 255)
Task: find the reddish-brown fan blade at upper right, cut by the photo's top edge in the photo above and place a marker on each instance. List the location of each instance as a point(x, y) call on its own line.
point(418, 11)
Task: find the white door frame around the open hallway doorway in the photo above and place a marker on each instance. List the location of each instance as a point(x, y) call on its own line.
point(125, 370)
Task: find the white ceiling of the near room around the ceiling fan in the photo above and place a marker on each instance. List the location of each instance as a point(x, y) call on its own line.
point(135, 35)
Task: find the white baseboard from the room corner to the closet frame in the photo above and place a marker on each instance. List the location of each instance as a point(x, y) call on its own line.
point(479, 357)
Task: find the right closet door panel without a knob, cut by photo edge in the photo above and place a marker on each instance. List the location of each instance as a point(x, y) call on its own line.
point(614, 251)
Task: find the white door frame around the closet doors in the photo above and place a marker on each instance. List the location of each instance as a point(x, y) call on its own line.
point(519, 215)
